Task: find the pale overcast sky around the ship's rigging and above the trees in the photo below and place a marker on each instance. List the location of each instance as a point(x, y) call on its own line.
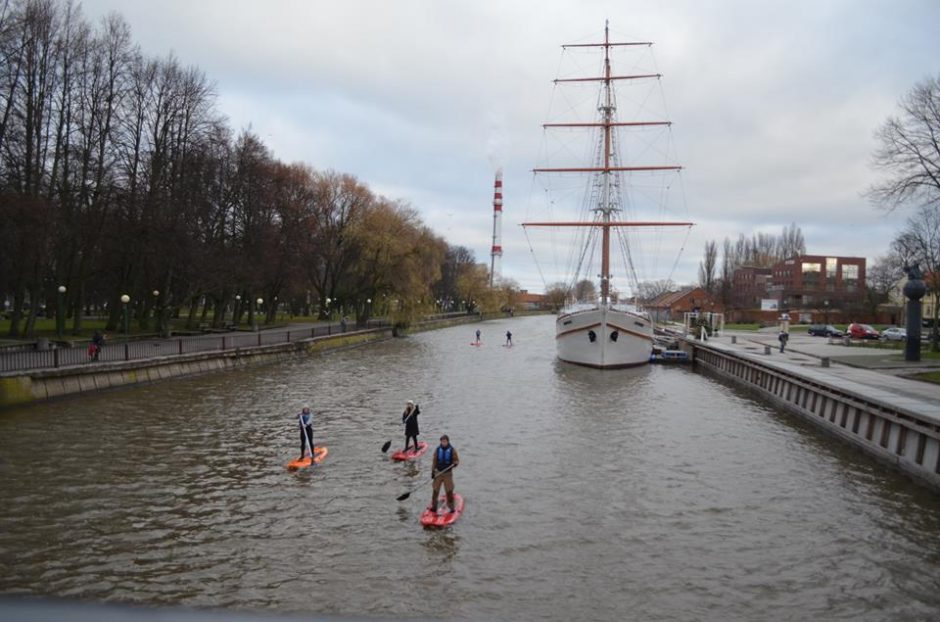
point(774, 104)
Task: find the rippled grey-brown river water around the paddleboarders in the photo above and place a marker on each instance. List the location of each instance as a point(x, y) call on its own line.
point(655, 493)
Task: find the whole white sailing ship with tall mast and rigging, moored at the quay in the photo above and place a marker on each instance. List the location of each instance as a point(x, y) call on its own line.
point(600, 326)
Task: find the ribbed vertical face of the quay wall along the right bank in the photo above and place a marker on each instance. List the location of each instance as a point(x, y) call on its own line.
point(892, 433)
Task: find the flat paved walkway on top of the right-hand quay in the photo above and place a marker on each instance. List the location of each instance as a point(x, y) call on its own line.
point(869, 372)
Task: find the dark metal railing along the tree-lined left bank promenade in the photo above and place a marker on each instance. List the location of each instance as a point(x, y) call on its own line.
point(58, 356)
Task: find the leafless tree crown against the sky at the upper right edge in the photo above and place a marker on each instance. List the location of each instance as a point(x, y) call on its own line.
point(909, 150)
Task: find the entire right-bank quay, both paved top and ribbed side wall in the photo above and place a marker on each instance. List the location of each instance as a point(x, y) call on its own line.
point(860, 395)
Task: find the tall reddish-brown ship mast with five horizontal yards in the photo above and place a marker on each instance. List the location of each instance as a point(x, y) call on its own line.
point(607, 123)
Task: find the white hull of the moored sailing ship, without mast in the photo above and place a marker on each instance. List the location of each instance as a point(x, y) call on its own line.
point(620, 338)
